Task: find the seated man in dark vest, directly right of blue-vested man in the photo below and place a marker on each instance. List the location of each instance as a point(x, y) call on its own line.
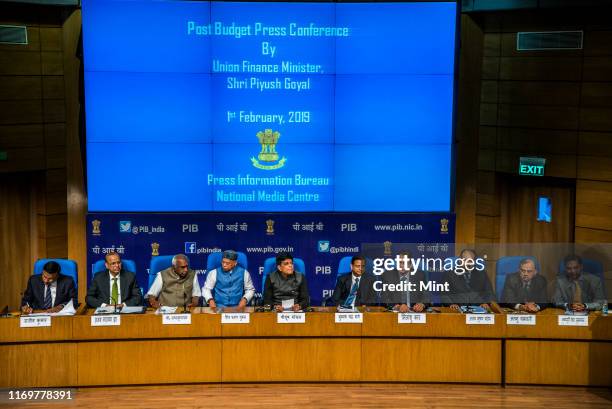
point(286, 284)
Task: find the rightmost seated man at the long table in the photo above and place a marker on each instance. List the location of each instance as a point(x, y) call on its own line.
point(578, 290)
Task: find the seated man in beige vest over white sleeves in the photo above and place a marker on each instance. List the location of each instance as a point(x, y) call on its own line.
point(175, 286)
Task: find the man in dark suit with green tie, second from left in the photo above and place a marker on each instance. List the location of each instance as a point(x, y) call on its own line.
point(115, 286)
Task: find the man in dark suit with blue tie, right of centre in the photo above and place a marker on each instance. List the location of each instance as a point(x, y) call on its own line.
point(356, 288)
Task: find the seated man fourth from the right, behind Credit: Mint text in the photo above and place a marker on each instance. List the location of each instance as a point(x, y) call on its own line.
point(413, 298)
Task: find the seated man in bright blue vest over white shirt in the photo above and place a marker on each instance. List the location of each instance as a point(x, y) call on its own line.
point(232, 284)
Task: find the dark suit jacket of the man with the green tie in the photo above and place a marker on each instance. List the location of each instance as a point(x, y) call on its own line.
point(98, 292)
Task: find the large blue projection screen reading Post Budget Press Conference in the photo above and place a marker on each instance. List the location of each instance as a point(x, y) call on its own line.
point(236, 106)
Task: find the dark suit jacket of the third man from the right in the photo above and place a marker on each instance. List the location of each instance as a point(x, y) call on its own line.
point(478, 291)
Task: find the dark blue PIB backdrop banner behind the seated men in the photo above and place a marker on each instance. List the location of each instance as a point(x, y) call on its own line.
point(320, 239)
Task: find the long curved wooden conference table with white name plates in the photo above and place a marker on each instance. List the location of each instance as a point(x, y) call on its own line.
point(445, 348)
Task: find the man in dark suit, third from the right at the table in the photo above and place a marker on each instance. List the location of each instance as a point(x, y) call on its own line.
point(468, 283)
